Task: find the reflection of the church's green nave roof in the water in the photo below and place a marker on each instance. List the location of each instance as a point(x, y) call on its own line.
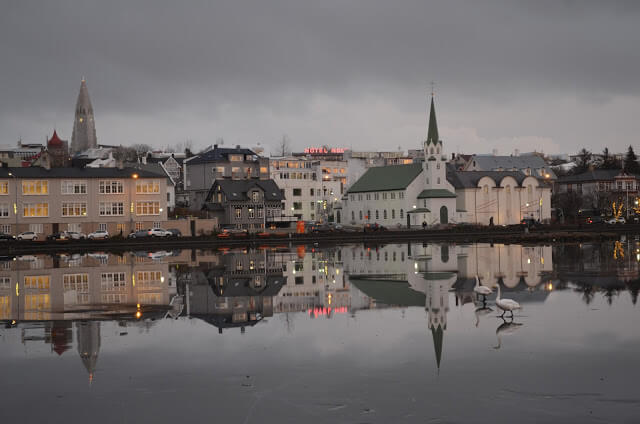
point(396, 293)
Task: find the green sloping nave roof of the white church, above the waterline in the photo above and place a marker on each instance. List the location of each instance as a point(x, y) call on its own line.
point(385, 178)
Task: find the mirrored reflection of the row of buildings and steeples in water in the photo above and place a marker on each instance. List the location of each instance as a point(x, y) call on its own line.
point(50, 298)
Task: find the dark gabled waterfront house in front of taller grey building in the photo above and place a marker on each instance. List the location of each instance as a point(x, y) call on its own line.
point(248, 204)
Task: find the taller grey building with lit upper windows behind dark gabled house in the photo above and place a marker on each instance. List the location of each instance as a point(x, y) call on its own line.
point(220, 163)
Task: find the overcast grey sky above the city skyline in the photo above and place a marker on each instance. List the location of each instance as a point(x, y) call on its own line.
point(545, 75)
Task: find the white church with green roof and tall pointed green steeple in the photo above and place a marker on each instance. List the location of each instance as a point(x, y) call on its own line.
point(405, 195)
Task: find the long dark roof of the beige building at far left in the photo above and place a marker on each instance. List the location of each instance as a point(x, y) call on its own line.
point(72, 172)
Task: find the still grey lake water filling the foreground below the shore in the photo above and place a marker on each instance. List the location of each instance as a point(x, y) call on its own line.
point(376, 334)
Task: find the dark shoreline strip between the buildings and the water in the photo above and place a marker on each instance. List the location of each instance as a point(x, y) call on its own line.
point(504, 235)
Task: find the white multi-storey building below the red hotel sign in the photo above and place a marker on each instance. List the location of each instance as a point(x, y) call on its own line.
point(311, 187)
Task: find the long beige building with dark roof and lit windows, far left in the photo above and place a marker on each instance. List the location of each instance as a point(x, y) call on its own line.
point(59, 199)
